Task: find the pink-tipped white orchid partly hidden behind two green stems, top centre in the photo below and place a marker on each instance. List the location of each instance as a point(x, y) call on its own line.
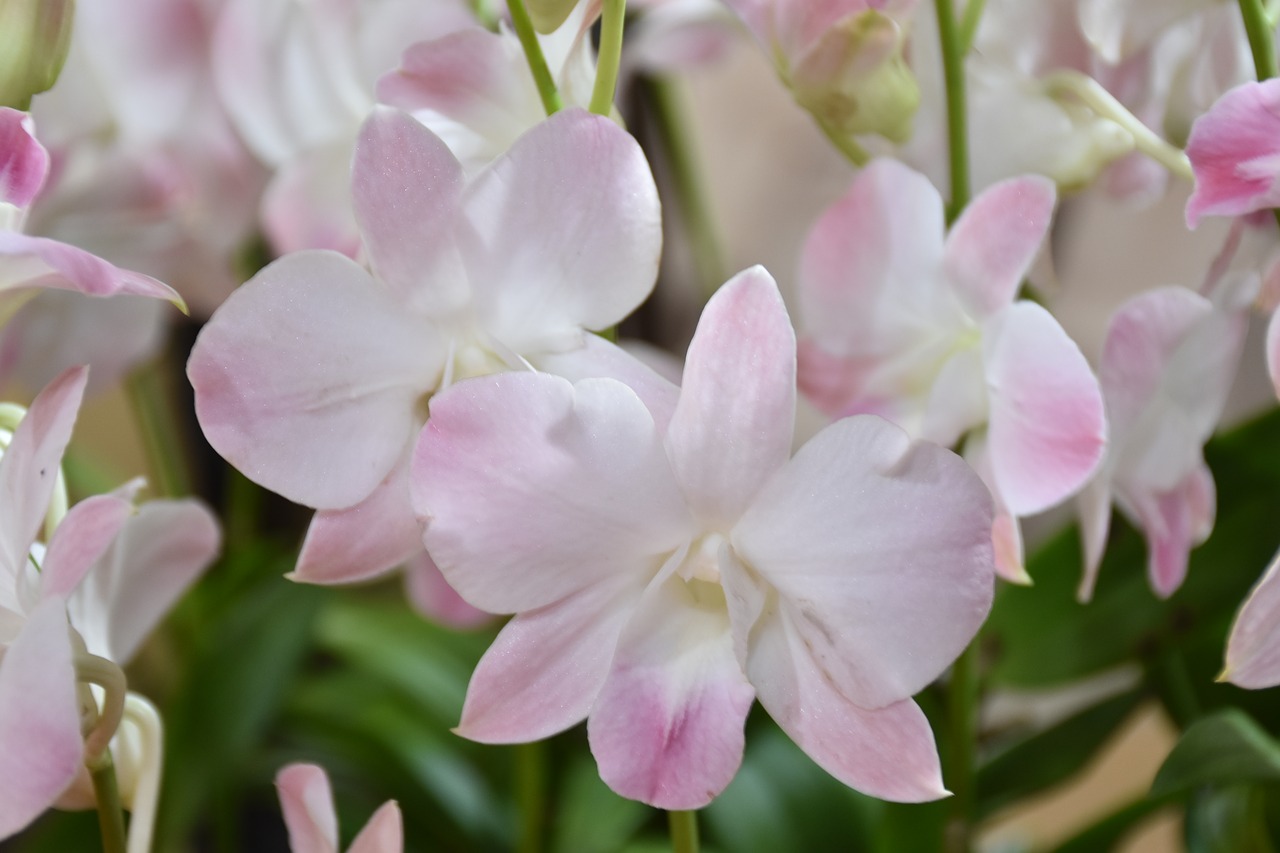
point(476, 92)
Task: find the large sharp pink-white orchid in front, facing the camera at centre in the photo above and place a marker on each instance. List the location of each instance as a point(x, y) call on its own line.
point(669, 562)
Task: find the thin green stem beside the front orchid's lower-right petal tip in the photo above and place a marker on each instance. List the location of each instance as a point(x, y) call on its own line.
point(963, 747)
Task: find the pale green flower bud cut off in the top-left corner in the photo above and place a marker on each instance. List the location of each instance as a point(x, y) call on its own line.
point(34, 40)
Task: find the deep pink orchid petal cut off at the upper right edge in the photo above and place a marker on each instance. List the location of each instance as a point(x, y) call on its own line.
point(1236, 153)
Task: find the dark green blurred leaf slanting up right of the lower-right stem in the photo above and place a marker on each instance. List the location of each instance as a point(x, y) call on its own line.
point(1045, 759)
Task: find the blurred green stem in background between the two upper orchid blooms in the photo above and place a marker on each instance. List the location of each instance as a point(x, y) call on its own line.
point(694, 209)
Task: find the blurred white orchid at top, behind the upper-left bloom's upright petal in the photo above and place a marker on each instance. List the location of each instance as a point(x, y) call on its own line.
point(299, 80)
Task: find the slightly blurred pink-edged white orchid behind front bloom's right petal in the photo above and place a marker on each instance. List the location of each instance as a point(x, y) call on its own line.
point(926, 331)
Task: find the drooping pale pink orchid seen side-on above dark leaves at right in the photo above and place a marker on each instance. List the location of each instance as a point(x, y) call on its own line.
point(1167, 367)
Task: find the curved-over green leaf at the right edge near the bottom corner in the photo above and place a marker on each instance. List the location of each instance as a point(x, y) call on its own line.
point(1224, 749)
